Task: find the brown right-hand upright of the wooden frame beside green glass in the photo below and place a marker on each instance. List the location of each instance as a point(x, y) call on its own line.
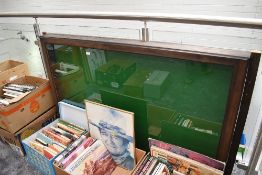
point(233, 102)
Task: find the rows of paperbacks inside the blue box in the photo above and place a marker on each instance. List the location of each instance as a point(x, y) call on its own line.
point(54, 139)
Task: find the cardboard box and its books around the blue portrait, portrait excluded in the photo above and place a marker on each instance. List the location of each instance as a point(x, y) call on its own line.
point(76, 161)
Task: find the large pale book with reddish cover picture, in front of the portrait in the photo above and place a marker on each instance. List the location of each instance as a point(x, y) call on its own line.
point(94, 160)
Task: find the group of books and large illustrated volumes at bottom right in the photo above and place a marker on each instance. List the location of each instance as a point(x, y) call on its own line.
point(167, 159)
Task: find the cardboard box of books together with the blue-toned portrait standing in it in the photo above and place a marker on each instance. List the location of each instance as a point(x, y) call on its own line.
point(111, 148)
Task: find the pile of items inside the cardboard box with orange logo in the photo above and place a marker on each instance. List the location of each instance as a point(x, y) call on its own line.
point(14, 92)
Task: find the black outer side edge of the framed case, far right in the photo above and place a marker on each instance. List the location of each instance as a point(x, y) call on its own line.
point(243, 110)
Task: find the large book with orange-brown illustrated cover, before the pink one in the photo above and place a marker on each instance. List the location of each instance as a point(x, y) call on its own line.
point(182, 164)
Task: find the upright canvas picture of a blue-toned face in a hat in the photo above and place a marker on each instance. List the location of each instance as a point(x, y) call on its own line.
point(115, 127)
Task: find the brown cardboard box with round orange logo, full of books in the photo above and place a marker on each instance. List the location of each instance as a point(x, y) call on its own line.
point(23, 100)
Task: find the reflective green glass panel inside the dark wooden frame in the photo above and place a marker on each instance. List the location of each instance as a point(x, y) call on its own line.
point(178, 101)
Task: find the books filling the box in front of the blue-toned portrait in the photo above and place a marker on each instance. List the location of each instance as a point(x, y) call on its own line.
point(90, 157)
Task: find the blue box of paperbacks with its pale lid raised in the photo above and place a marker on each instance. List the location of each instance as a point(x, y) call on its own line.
point(57, 138)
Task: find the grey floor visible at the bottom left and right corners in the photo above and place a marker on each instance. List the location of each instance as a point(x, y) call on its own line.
point(12, 163)
